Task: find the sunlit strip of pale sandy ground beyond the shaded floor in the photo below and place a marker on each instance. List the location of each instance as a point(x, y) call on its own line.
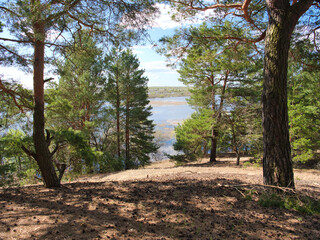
point(204, 169)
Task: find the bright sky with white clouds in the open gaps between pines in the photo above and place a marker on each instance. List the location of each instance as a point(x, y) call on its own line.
point(153, 63)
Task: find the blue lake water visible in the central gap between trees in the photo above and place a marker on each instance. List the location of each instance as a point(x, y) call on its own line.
point(166, 114)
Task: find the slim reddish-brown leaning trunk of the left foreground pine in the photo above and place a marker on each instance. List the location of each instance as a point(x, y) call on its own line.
point(42, 153)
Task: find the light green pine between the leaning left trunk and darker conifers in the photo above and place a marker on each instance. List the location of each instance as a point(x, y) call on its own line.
point(76, 102)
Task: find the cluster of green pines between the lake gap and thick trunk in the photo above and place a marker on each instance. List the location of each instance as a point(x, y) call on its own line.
point(227, 83)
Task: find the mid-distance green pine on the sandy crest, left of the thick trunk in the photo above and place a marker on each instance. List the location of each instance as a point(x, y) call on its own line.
point(209, 71)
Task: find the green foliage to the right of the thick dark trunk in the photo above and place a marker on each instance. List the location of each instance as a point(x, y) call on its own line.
point(303, 102)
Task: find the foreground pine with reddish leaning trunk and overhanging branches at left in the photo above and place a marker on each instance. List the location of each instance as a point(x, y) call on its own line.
point(32, 21)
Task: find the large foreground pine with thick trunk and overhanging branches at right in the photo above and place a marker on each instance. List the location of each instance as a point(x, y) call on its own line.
point(283, 16)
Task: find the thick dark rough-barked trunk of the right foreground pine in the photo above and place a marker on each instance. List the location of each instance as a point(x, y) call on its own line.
point(277, 163)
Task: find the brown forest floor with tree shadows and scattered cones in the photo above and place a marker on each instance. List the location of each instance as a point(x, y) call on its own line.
point(197, 201)
